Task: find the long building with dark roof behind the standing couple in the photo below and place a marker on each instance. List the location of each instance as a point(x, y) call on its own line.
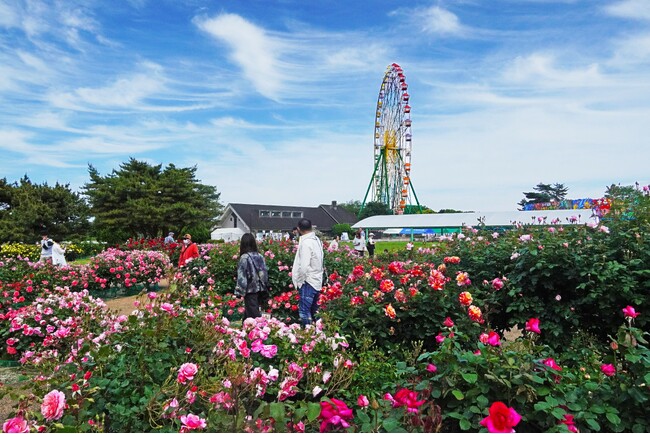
point(280, 218)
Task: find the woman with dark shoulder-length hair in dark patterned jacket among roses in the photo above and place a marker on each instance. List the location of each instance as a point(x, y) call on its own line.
point(252, 277)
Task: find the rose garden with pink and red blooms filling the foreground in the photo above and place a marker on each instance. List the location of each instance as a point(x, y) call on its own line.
point(541, 328)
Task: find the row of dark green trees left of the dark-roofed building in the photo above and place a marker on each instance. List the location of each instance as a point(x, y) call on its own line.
point(136, 200)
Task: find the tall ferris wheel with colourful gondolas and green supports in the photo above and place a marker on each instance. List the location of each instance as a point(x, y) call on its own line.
point(391, 179)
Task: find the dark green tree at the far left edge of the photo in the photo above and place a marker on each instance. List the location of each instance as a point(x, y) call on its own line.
point(27, 208)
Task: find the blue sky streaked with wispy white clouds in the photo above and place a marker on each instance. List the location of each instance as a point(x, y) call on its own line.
point(274, 101)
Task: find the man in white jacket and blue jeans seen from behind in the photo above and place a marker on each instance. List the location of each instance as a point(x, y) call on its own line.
point(307, 272)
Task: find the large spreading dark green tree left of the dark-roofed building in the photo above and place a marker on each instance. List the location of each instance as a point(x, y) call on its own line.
point(141, 200)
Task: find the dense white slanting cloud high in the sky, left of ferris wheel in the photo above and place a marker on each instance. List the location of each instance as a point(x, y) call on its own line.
point(252, 49)
